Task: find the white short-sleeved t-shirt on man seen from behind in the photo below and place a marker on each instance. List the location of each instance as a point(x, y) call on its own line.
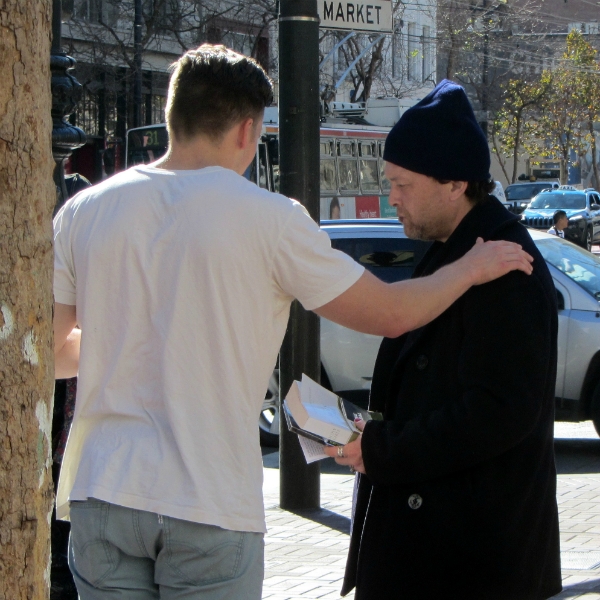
point(182, 283)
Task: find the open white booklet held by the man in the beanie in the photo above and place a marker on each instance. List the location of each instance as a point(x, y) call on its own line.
point(320, 415)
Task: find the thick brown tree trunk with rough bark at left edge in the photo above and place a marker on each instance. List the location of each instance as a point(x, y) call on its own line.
point(27, 195)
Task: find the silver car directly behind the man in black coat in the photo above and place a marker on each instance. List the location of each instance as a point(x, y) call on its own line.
point(348, 357)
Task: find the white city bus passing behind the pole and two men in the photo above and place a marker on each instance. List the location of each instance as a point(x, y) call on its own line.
point(352, 180)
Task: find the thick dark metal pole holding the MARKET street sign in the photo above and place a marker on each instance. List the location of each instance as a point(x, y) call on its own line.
point(299, 167)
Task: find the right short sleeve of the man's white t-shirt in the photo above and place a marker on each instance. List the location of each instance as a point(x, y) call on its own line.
point(307, 267)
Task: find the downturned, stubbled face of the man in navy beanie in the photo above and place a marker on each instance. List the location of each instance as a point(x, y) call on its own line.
point(420, 203)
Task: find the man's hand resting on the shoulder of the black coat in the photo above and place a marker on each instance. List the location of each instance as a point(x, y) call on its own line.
point(487, 261)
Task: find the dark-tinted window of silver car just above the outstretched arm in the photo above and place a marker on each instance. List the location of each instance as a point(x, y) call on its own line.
point(390, 259)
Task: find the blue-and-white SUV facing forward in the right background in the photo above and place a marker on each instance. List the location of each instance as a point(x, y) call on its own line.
point(582, 208)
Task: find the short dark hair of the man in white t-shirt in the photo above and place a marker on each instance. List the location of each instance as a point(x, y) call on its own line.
point(211, 89)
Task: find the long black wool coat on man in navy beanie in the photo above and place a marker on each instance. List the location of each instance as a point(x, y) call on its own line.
point(459, 496)
